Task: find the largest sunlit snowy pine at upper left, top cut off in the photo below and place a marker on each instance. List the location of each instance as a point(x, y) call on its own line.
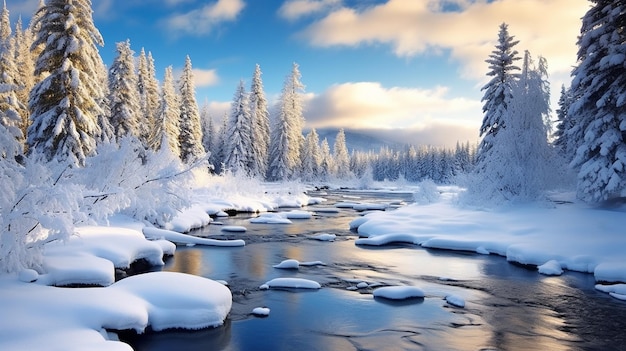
point(65, 105)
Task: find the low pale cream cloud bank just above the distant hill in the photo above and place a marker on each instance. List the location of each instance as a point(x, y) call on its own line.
point(429, 116)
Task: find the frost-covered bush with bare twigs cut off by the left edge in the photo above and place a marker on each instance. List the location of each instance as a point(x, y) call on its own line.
point(36, 206)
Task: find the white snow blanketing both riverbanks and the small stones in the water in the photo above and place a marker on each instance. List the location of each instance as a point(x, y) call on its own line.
point(567, 236)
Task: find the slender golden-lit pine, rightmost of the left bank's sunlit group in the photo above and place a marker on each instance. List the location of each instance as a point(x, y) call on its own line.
point(190, 137)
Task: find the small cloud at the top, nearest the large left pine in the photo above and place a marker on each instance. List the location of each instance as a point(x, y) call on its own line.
point(204, 19)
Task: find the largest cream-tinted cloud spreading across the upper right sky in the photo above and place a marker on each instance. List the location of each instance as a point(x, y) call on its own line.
point(545, 27)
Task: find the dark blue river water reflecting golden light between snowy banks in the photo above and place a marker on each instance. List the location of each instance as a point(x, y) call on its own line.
point(507, 307)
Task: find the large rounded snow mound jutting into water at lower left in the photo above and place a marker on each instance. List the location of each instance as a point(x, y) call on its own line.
point(177, 300)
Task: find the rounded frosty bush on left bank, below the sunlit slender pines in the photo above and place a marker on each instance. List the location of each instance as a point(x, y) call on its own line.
point(146, 185)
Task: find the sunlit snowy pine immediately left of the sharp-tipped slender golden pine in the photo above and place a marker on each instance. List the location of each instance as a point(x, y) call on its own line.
point(166, 128)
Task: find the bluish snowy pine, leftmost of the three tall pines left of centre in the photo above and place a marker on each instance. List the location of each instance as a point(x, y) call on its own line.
point(238, 158)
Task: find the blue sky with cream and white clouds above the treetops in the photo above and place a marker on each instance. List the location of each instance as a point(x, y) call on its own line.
point(409, 69)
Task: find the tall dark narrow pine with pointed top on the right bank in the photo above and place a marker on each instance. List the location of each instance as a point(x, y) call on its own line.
point(498, 90)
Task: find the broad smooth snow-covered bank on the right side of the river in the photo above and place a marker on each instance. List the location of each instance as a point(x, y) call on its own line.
point(564, 234)
